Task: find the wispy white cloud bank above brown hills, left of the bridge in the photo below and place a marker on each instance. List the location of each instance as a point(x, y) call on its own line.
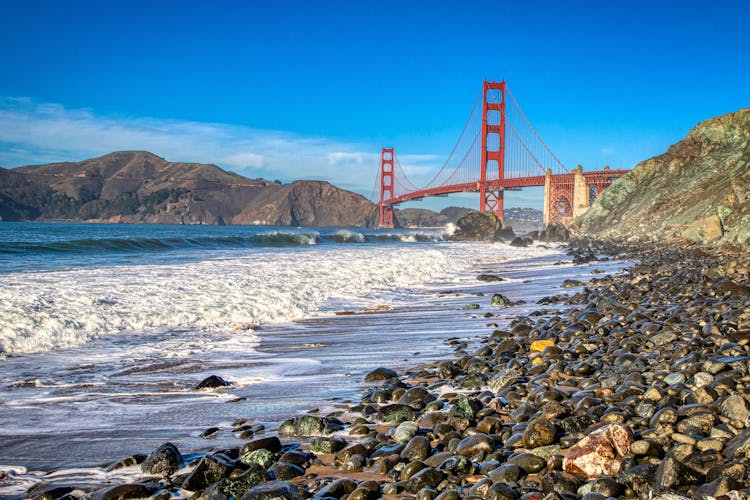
point(33, 132)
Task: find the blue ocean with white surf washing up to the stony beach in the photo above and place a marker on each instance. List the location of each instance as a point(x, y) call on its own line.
point(106, 330)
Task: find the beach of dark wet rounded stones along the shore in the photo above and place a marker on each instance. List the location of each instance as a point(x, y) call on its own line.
point(630, 386)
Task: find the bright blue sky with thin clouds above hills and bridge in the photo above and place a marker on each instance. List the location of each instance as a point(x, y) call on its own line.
point(293, 90)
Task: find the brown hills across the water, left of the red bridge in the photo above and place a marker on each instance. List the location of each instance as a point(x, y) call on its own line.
point(140, 187)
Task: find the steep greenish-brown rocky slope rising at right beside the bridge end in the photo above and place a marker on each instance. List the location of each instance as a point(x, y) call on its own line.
point(699, 189)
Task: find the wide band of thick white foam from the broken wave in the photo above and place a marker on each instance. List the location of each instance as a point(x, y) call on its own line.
point(52, 310)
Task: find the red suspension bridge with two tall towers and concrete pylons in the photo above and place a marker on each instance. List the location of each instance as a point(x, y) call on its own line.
point(497, 151)
